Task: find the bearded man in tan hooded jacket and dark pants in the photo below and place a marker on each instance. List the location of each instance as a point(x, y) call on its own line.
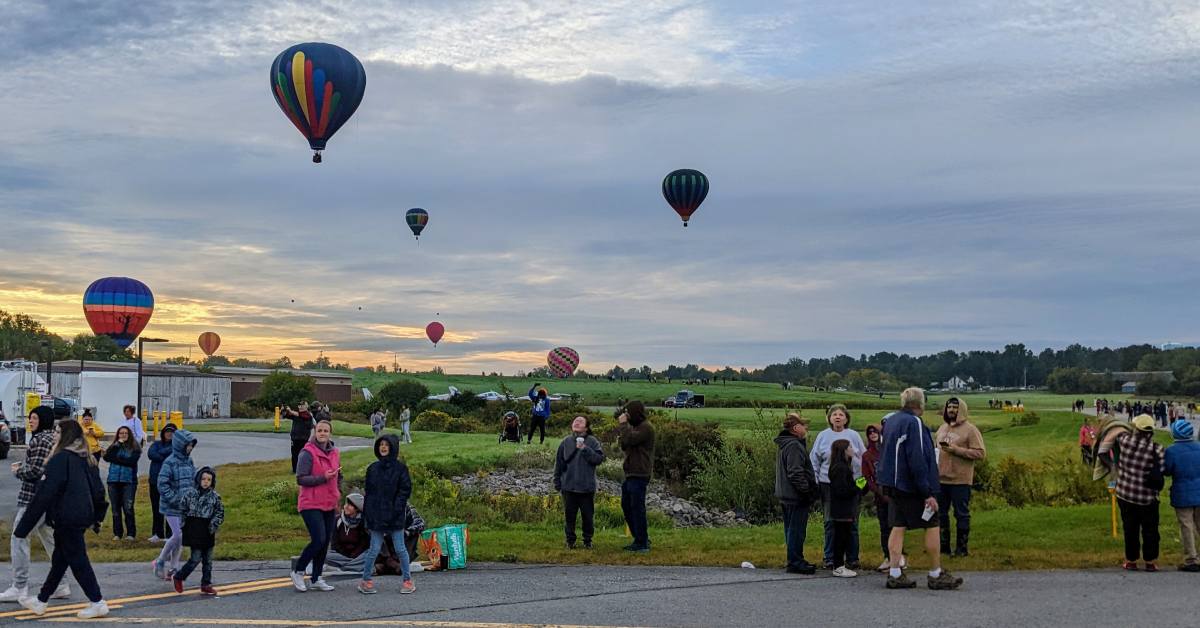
point(961, 445)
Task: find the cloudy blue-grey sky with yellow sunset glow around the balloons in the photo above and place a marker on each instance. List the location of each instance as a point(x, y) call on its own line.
point(908, 177)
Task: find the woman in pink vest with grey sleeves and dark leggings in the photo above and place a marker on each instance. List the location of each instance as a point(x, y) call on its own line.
point(319, 474)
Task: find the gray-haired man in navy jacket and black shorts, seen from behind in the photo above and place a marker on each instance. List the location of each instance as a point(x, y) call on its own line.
point(908, 471)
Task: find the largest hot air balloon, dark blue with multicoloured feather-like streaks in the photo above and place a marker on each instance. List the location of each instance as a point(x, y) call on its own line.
point(319, 87)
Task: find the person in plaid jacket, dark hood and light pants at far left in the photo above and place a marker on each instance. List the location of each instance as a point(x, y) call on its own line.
point(29, 473)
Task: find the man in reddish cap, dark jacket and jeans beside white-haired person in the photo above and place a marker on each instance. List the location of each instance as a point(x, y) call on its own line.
point(796, 488)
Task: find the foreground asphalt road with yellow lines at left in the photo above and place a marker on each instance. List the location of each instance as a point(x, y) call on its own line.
point(503, 596)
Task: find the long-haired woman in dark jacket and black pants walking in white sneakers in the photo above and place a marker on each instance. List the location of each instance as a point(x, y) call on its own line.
point(70, 499)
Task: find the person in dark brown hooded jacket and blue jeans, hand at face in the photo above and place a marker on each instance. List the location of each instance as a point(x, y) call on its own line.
point(635, 436)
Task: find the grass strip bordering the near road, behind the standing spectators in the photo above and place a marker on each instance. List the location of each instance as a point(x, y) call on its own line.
point(262, 523)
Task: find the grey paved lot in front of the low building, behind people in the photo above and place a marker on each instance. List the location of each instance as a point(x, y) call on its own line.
point(214, 450)
